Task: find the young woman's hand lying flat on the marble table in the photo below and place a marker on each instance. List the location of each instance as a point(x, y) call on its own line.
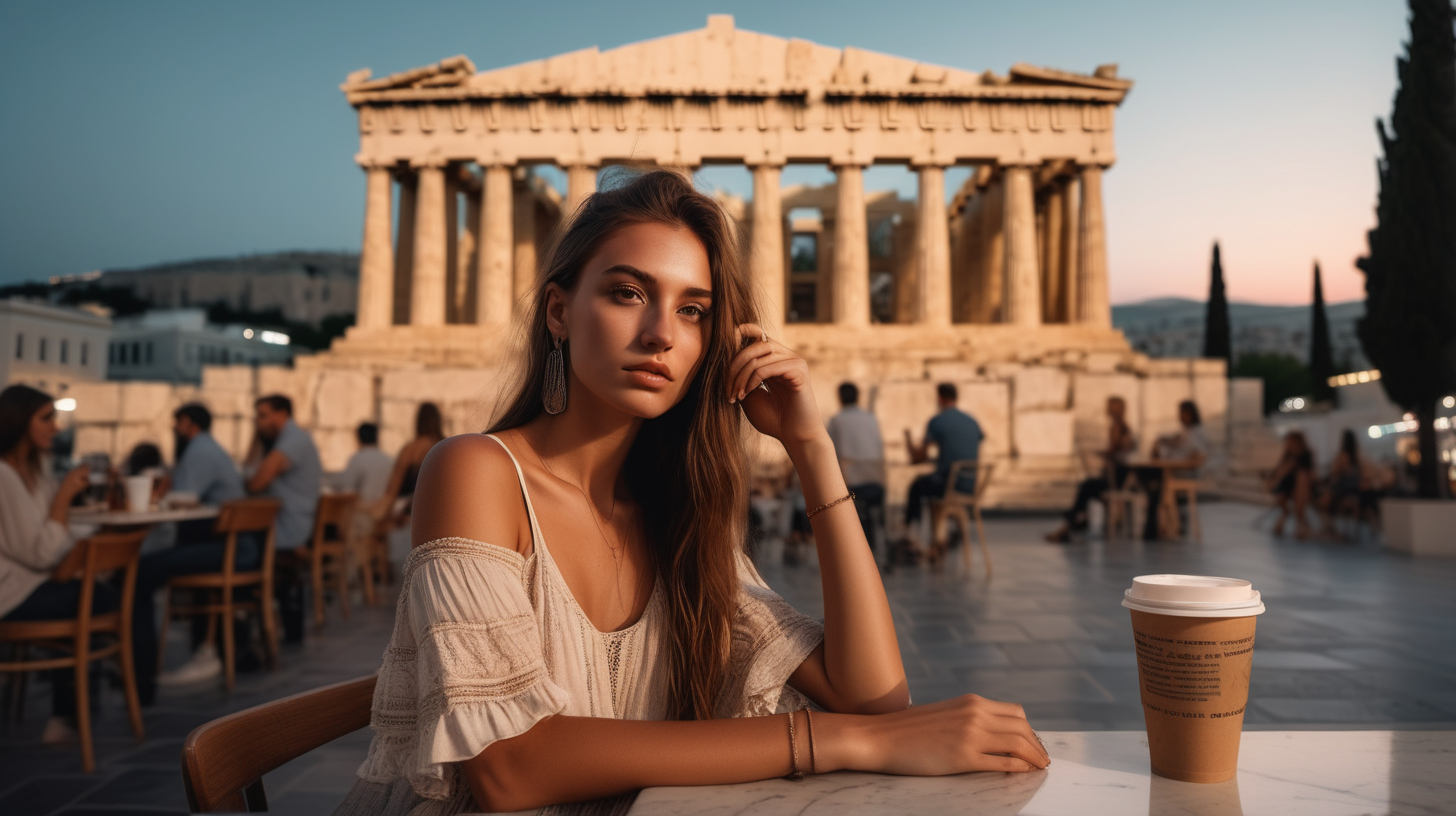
point(953, 737)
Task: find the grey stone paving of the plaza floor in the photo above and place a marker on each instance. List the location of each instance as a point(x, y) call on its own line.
point(1353, 637)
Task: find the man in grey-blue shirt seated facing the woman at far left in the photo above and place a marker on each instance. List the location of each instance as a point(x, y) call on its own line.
point(205, 470)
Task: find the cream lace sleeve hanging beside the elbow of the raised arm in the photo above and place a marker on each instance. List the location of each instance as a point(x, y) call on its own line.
point(771, 639)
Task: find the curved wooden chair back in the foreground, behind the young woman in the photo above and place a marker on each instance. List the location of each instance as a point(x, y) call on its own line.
point(223, 763)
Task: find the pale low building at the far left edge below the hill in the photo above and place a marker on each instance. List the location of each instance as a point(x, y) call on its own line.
point(52, 348)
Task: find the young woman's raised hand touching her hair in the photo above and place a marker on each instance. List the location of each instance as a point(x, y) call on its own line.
point(787, 410)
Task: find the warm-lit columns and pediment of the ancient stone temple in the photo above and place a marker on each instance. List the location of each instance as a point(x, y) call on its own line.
point(448, 133)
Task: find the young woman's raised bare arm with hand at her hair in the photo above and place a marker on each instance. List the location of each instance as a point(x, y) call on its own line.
point(858, 670)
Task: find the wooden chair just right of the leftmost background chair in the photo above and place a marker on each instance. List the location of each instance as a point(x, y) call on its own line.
point(237, 518)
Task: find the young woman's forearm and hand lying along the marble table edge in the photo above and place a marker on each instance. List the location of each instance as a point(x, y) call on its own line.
point(611, 757)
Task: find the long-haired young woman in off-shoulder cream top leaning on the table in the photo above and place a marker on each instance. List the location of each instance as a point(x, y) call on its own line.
point(577, 619)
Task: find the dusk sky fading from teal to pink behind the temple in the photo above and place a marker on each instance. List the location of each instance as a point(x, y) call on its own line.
point(139, 133)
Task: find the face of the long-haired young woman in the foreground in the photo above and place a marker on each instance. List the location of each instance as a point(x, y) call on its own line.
point(638, 321)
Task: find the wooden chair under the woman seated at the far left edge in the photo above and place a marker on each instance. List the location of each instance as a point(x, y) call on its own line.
point(91, 557)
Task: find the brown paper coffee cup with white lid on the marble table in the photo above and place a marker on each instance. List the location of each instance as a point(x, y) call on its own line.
point(1195, 637)
